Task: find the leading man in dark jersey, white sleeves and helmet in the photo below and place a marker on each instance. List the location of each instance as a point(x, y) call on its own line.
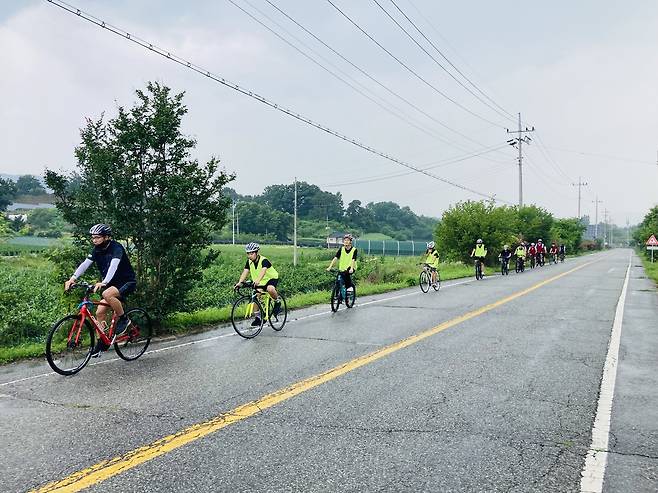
point(119, 278)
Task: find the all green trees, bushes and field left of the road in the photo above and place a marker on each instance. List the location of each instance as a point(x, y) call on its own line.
point(135, 172)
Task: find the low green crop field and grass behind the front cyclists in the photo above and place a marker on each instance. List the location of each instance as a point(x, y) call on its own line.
point(32, 298)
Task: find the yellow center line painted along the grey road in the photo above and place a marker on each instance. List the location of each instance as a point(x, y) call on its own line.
point(108, 468)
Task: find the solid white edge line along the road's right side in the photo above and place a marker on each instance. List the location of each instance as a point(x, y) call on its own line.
point(597, 456)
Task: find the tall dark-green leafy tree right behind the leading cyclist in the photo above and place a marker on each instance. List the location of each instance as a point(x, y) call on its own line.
point(135, 173)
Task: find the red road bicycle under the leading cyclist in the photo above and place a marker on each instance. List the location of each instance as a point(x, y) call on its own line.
point(71, 340)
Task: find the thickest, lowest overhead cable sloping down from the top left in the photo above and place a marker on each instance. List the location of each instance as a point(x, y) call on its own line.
point(185, 63)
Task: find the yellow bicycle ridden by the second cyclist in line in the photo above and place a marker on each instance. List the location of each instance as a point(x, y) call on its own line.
point(253, 307)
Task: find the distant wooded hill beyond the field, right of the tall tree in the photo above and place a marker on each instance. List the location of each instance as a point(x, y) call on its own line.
point(271, 213)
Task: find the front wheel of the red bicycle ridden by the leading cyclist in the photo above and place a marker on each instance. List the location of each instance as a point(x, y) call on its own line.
point(69, 344)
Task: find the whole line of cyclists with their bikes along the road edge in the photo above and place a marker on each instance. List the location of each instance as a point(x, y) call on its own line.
point(86, 334)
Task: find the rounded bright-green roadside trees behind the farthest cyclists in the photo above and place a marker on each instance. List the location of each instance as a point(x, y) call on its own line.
point(465, 222)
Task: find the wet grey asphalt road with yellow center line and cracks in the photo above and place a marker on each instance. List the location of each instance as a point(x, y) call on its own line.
point(501, 395)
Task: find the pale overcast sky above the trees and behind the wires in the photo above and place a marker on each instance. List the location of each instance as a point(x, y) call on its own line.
point(584, 74)
